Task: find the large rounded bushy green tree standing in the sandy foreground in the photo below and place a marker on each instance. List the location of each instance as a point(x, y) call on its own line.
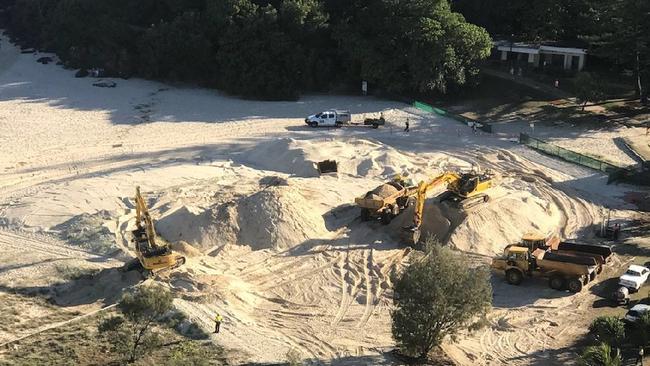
point(436, 296)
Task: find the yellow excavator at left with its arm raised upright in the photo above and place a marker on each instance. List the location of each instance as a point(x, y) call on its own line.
point(151, 255)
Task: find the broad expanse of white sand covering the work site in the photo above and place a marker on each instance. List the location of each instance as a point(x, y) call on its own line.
point(286, 259)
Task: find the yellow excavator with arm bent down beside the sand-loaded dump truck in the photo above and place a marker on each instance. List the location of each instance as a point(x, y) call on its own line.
point(465, 190)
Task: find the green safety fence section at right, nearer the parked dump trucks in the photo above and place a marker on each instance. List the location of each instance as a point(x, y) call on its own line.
point(614, 172)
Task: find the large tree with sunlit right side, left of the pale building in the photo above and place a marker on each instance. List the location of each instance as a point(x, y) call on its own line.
point(411, 46)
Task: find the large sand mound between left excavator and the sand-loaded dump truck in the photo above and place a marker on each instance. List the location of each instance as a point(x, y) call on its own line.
point(274, 218)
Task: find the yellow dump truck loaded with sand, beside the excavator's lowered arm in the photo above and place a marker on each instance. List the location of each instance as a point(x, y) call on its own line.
point(387, 200)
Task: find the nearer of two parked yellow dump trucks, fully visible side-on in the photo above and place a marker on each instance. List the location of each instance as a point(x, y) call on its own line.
point(562, 271)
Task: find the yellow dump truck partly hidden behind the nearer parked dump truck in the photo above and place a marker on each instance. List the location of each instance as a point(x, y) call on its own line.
point(601, 253)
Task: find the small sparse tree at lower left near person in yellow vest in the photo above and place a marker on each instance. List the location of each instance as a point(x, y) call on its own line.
point(131, 332)
